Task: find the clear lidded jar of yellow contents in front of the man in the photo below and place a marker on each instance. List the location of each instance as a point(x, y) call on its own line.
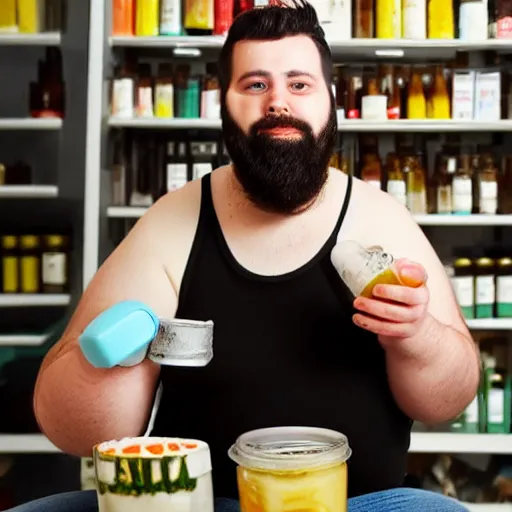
point(287, 469)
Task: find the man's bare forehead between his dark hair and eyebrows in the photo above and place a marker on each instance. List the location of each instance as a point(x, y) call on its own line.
point(279, 55)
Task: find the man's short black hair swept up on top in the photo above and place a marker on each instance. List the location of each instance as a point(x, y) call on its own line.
point(283, 18)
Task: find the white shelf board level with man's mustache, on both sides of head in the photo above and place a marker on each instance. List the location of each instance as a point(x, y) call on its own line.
point(353, 126)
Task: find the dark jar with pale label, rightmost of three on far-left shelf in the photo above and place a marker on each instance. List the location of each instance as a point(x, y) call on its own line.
point(55, 264)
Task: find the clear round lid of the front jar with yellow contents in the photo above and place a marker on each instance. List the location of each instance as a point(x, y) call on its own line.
point(290, 448)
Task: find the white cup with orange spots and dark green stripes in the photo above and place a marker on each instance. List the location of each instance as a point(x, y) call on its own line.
point(153, 474)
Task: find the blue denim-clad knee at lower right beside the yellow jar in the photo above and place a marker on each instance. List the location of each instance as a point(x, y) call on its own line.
point(405, 500)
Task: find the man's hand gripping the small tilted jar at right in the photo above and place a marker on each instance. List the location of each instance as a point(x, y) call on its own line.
point(396, 312)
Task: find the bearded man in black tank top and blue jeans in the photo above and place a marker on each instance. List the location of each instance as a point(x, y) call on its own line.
point(250, 248)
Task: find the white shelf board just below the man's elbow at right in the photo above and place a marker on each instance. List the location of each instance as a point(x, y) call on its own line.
point(433, 442)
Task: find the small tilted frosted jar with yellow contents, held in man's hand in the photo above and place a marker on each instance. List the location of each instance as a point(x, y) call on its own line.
point(361, 269)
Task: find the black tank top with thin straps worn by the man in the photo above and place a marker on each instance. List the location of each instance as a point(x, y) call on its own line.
point(285, 353)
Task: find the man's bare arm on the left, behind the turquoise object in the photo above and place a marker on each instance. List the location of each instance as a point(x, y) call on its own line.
point(77, 405)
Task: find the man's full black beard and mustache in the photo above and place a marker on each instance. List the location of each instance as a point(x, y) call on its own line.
point(280, 175)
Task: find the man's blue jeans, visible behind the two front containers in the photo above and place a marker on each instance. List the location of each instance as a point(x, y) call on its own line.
point(395, 500)
